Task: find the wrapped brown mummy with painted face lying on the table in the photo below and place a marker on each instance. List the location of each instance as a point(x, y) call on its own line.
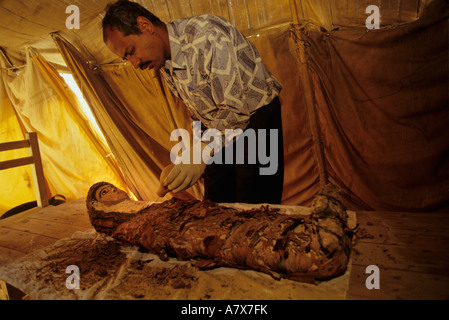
point(307, 248)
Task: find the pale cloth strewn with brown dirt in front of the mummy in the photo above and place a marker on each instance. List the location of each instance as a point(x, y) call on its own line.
point(110, 270)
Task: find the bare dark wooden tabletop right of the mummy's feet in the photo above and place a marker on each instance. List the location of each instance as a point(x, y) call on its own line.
point(411, 251)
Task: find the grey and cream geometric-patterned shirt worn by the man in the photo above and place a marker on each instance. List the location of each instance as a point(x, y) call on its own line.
point(217, 72)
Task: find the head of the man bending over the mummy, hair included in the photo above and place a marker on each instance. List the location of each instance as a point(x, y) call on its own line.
point(133, 33)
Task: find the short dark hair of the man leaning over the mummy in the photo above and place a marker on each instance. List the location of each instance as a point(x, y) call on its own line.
point(123, 16)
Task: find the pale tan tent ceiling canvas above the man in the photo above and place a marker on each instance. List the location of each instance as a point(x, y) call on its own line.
point(27, 23)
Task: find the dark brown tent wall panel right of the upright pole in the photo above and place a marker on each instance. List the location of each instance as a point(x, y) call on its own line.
point(382, 100)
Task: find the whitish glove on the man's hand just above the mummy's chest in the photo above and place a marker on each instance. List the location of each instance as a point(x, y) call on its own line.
point(185, 175)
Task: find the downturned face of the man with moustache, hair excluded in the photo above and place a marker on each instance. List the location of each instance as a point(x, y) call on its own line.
point(145, 51)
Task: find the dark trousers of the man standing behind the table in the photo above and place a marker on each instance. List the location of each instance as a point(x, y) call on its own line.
point(244, 182)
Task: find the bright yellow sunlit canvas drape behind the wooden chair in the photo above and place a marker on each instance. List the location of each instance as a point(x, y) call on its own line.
point(73, 155)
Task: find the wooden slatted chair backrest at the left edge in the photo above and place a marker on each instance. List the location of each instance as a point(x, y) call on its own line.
point(34, 159)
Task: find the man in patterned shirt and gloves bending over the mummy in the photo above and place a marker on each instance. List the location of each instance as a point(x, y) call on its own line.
point(220, 77)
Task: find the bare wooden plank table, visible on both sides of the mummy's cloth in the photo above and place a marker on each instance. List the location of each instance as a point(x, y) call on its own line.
point(410, 250)
